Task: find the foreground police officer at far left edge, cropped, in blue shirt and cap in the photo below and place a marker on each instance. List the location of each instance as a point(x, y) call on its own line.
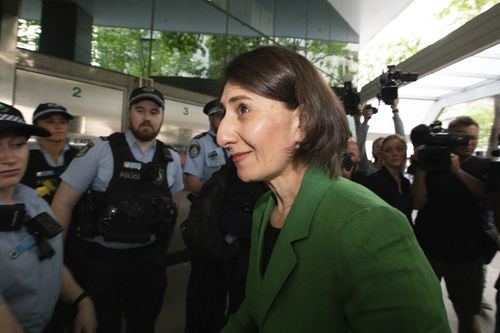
point(32, 276)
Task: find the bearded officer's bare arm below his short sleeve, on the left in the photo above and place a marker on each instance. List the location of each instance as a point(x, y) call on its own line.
point(64, 201)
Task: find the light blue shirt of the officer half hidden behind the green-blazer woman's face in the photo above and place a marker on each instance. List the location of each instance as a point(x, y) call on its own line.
point(204, 156)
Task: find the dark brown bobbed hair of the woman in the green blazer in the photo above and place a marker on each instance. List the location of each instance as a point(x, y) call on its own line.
point(280, 74)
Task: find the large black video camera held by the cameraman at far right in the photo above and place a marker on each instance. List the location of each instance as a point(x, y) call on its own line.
point(437, 146)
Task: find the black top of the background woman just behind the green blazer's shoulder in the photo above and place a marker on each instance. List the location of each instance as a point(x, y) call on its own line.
point(386, 187)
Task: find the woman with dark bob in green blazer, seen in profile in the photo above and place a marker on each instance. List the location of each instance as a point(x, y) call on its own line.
point(326, 254)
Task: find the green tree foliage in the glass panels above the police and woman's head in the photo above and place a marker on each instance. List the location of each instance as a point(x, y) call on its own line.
point(186, 54)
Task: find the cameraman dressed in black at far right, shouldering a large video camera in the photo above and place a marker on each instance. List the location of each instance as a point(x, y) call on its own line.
point(449, 222)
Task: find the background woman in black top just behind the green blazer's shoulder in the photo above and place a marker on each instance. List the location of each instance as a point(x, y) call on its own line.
point(388, 182)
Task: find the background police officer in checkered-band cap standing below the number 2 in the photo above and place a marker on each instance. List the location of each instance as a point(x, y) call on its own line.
point(49, 156)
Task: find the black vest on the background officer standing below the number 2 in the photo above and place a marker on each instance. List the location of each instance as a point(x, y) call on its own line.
point(43, 177)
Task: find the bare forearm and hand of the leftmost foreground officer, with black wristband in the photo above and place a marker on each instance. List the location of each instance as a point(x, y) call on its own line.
point(85, 320)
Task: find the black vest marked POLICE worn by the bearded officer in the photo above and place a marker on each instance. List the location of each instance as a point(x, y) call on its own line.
point(137, 203)
